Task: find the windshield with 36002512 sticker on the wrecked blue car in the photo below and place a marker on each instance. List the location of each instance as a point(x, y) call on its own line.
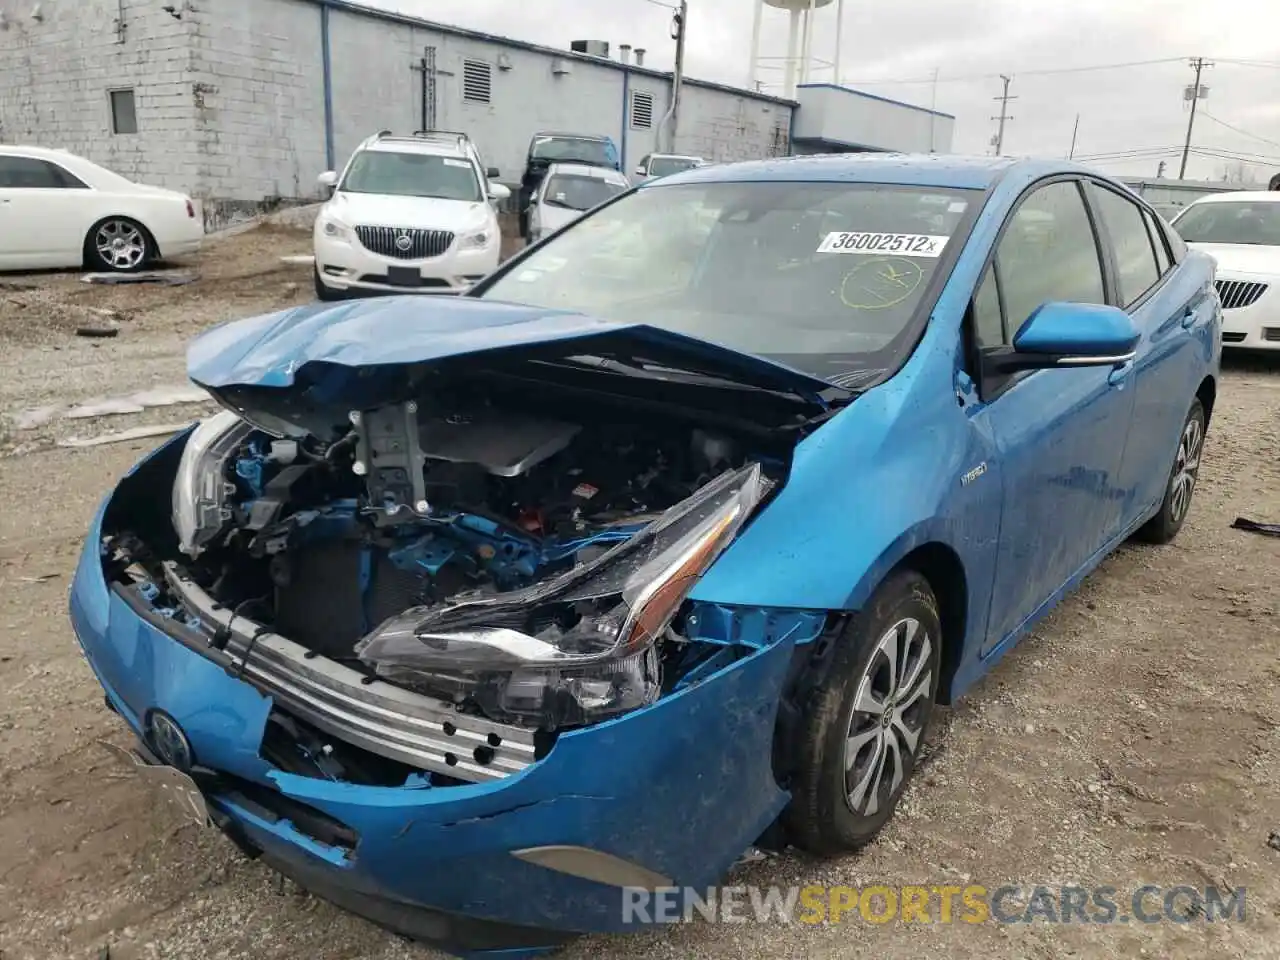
point(824, 277)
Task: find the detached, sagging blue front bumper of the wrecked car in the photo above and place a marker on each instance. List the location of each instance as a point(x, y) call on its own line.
point(676, 790)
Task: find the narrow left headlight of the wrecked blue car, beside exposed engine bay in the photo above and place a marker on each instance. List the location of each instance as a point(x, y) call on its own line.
point(202, 491)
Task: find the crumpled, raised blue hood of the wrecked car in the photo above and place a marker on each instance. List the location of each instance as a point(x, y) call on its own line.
point(396, 332)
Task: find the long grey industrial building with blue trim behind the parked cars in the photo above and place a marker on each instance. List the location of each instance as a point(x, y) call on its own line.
point(245, 103)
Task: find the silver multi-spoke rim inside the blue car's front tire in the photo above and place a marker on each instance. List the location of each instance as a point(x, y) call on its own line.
point(888, 719)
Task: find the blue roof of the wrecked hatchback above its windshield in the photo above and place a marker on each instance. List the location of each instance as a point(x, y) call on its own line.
point(915, 170)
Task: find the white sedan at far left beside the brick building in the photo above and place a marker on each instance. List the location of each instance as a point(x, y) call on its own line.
point(60, 211)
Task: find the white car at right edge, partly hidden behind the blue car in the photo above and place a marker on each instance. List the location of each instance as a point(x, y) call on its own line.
point(1242, 234)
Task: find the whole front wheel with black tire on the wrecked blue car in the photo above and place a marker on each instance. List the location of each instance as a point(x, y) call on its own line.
point(867, 721)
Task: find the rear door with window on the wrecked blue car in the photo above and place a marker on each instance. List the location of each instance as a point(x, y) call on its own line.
point(1169, 309)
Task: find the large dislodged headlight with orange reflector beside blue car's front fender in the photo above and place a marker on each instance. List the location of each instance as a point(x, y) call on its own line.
point(580, 648)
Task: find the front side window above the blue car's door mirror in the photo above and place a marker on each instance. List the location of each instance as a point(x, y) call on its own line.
point(1049, 253)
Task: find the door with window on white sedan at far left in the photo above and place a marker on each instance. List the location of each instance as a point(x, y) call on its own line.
point(43, 214)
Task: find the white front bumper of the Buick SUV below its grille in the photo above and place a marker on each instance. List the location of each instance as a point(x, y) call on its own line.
point(346, 267)
